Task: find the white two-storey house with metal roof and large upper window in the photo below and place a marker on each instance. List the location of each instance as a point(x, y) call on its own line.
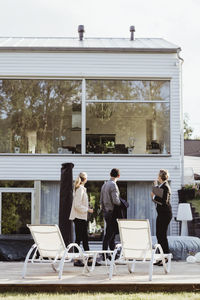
point(96, 102)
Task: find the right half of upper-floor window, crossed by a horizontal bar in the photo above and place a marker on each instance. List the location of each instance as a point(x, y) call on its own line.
point(127, 117)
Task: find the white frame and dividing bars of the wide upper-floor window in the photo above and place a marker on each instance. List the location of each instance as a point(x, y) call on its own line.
point(83, 112)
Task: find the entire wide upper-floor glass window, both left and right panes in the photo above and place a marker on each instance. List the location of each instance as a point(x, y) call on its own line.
point(122, 116)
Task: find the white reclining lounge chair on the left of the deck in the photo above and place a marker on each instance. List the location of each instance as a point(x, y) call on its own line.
point(50, 247)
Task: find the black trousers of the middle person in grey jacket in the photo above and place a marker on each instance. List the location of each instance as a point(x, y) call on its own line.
point(109, 237)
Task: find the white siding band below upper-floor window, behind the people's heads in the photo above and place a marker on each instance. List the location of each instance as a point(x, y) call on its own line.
point(98, 168)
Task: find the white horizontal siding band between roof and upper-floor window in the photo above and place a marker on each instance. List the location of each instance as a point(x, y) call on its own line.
point(91, 64)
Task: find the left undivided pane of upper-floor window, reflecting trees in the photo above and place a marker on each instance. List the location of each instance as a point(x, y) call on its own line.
point(40, 116)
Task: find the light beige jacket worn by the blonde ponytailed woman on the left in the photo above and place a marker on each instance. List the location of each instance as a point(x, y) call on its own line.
point(79, 208)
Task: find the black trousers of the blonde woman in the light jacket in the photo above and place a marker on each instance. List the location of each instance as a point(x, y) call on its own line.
point(81, 233)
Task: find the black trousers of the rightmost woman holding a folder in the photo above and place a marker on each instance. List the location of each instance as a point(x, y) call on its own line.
point(162, 223)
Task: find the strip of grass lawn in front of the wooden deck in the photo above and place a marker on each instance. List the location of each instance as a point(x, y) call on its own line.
point(102, 296)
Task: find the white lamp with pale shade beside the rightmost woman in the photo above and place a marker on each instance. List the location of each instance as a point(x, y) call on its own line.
point(184, 214)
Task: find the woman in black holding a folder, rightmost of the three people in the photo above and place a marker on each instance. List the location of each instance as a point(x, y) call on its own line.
point(164, 211)
